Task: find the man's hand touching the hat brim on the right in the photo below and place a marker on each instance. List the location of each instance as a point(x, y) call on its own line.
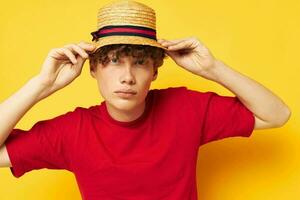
point(190, 54)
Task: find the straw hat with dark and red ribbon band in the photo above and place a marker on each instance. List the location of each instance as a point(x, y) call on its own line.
point(125, 22)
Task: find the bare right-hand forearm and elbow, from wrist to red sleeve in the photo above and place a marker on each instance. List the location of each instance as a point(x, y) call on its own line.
point(270, 111)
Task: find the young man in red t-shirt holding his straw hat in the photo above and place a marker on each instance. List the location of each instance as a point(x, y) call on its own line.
point(138, 143)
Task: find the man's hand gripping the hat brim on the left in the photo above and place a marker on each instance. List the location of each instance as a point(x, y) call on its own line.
point(64, 64)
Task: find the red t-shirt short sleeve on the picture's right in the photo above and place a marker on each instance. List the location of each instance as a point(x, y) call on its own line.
point(221, 116)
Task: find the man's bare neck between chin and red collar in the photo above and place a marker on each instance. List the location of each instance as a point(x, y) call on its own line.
point(126, 115)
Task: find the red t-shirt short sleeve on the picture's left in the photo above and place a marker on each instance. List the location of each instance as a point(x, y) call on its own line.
point(45, 145)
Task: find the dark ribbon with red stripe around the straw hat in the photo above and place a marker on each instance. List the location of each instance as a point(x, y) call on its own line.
point(124, 30)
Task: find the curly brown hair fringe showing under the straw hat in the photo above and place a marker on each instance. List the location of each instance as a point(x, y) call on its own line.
point(101, 55)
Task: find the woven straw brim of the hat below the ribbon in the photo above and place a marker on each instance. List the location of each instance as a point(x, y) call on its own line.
point(126, 40)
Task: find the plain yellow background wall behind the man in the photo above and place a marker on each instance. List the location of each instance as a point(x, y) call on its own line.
point(259, 38)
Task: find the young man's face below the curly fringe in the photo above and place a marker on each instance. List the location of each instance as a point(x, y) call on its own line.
point(125, 81)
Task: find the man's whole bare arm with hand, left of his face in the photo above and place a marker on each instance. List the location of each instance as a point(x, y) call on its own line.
point(60, 68)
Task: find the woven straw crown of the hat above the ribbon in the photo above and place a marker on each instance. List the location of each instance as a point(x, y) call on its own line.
point(126, 12)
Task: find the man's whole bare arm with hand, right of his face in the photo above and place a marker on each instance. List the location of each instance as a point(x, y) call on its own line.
point(191, 54)
